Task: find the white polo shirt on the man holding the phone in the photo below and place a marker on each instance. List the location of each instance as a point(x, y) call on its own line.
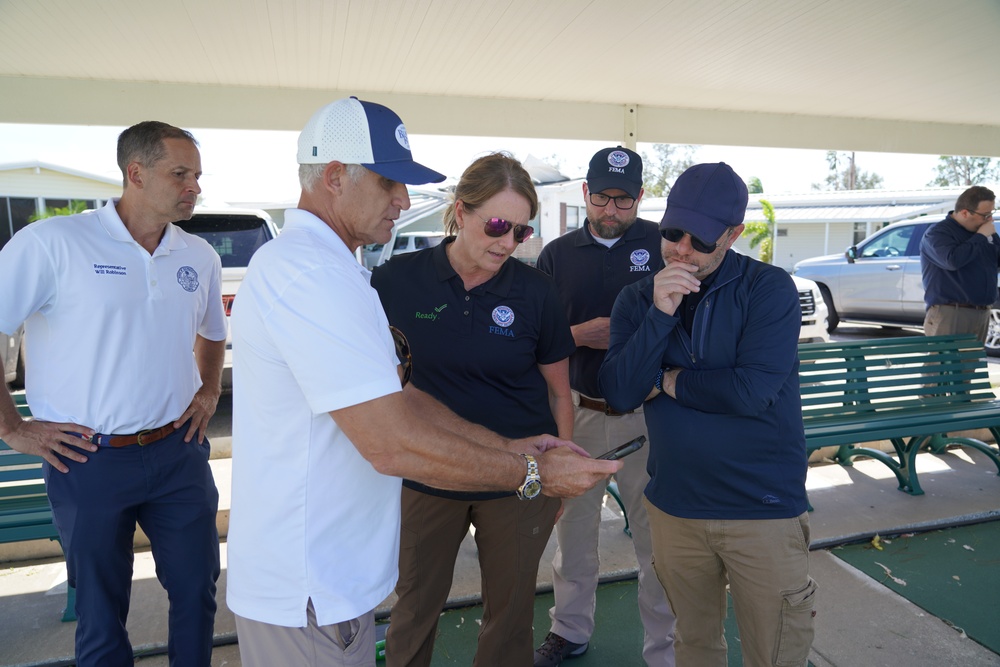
point(310, 517)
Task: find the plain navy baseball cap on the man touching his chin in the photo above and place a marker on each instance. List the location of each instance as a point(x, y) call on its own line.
point(705, 200)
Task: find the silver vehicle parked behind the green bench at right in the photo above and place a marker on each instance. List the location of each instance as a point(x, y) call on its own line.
point(878, 281)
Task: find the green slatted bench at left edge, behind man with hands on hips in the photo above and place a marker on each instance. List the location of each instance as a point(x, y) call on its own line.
point(25, 513)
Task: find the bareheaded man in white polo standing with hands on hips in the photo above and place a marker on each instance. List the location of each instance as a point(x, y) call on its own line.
point(123, 315)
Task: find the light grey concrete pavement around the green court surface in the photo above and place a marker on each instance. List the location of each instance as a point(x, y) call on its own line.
point(859, 622)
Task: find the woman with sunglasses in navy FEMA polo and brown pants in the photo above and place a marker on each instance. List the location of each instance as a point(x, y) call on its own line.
point(489, 339)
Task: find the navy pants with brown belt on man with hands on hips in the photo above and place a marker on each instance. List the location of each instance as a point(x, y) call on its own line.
point(167, 487)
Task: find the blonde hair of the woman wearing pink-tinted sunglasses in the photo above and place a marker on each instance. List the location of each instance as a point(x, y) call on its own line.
point(486, 177)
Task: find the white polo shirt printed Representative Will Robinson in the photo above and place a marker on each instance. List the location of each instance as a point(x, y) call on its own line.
point(110, 329)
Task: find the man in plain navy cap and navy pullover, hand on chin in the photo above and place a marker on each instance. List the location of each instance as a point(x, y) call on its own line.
point(710, 343)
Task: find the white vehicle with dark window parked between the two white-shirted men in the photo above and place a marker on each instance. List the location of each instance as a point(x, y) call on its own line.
point(235, 234)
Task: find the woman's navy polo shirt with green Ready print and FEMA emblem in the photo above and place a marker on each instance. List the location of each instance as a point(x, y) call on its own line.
point(478, 351)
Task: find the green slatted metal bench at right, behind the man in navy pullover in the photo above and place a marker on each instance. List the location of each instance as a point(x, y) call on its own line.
point(910, 391)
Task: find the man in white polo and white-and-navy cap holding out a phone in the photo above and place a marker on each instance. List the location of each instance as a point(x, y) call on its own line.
point(322, 432)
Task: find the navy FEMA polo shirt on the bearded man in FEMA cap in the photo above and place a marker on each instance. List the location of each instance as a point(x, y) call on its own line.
point(589, 277)
